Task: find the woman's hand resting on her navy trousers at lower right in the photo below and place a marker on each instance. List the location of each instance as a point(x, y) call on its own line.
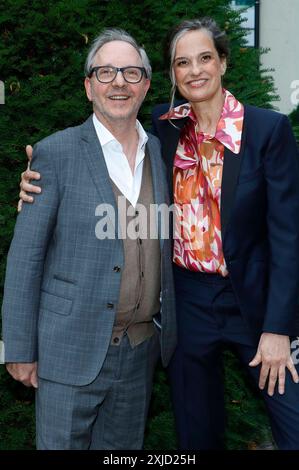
point(274, 353)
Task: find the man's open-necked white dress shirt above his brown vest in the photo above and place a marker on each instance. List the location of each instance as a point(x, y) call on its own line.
point(117, 163)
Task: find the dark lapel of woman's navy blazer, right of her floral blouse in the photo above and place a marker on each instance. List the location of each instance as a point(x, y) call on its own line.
point(231, 169)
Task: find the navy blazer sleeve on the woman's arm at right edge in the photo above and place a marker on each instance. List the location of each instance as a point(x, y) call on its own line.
point(282, 180)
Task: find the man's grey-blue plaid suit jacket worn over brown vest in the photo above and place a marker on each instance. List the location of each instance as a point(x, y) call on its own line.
point(61, 290)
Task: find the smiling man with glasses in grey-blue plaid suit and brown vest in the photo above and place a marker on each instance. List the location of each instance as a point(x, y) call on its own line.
point(80, 299)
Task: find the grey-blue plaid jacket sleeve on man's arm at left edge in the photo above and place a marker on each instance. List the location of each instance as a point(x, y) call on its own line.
point(25, 263)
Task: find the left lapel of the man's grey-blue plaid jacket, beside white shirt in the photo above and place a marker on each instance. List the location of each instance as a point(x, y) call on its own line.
point(97, 167)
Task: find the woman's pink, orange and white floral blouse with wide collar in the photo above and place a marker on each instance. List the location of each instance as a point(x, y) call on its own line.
point(197, 176)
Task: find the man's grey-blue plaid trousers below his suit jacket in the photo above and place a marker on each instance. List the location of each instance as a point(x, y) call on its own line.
point(110, 412)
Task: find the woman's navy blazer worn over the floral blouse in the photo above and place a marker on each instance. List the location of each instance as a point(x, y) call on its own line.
point(259, 216)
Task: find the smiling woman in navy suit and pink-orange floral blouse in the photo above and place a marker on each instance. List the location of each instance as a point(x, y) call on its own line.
point(233, 170)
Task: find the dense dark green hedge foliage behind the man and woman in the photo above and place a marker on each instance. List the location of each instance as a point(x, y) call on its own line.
point(43, 46)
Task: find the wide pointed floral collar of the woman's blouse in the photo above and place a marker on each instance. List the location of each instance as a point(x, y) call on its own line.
point(229, 127)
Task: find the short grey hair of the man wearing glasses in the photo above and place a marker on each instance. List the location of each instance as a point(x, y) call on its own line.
point(116, 34)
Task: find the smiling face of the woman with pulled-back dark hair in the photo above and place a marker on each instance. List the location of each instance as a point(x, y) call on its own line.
point(197, 67)
